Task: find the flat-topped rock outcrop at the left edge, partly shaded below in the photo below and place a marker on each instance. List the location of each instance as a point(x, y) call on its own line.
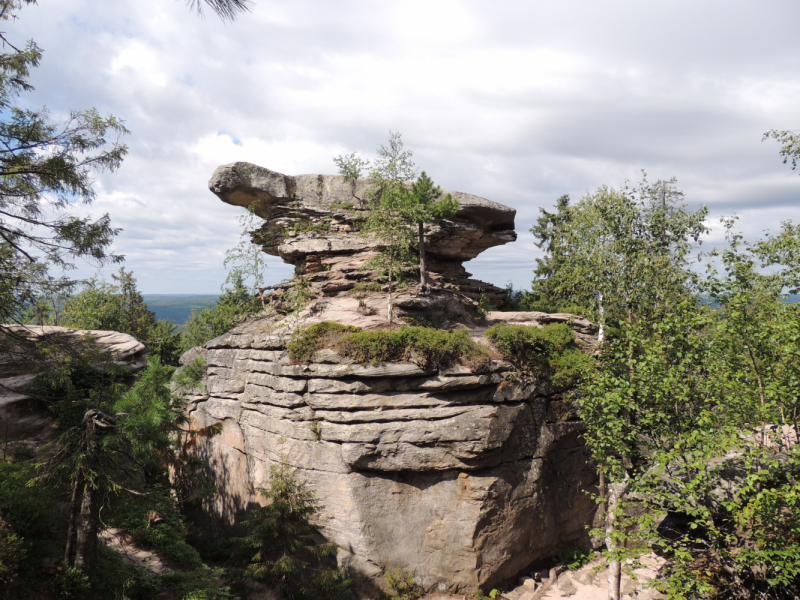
point(20, 415)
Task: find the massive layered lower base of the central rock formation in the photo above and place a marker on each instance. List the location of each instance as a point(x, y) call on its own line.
point(463, 478)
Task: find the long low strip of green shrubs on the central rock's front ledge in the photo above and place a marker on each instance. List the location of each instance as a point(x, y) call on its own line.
point(430, 348)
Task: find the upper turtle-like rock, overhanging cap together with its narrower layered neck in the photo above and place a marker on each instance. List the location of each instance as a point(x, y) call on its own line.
point(310, 222)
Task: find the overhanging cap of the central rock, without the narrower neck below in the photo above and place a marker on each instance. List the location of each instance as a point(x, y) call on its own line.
point(313, 214)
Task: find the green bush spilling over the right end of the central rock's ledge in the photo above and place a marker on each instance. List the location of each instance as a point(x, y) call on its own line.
point(552, 347)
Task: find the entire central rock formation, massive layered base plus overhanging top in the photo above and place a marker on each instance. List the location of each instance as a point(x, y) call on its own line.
point(463, 476)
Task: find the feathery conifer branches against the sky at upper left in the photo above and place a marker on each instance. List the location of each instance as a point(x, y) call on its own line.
point(45, 169)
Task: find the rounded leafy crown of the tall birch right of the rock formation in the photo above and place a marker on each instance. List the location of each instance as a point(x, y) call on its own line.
point(623, 255)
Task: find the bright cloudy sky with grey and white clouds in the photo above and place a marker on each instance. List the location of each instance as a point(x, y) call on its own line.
point(516, 101)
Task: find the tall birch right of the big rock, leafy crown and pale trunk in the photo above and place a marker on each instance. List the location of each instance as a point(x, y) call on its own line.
point(624, 255)
